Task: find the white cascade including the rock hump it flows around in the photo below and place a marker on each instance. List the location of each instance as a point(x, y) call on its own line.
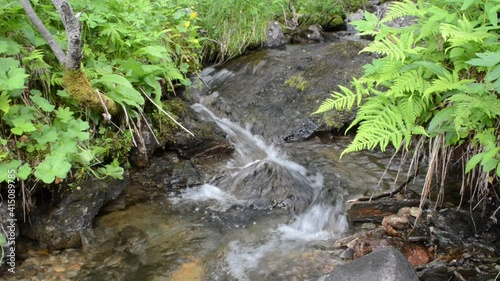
point(261, 176)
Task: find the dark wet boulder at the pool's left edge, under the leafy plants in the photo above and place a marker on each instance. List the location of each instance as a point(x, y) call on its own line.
point(59, 227)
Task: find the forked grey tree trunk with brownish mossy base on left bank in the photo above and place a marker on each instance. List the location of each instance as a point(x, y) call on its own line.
point(75, 80)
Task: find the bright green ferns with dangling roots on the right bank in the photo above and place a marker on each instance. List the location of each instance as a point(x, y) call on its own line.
point(433, 91)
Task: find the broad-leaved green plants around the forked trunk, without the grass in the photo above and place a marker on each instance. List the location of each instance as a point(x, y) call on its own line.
point(133, 51)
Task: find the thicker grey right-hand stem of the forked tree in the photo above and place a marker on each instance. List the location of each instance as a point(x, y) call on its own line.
point(73, 33)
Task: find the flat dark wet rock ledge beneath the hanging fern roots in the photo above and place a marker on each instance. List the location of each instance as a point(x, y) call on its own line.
point(375, 211)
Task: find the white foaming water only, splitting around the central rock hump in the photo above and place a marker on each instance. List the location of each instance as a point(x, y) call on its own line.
point(322, 219)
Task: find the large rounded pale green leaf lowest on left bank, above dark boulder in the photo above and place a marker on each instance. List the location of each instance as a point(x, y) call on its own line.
point(52, 167)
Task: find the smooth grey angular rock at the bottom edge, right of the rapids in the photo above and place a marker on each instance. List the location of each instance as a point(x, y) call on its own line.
point(387, 264)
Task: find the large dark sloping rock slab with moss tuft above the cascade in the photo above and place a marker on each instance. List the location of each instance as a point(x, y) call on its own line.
point(251, 89)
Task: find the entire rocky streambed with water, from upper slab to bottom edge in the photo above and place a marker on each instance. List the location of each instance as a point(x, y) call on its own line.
point(193, 212)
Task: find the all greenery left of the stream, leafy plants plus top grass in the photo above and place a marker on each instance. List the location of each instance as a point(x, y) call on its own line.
point(135, 54)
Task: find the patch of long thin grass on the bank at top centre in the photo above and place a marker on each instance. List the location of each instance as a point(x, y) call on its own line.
point(233, 26)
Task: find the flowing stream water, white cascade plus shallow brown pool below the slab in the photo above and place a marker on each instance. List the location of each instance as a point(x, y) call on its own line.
point(268, 212)
